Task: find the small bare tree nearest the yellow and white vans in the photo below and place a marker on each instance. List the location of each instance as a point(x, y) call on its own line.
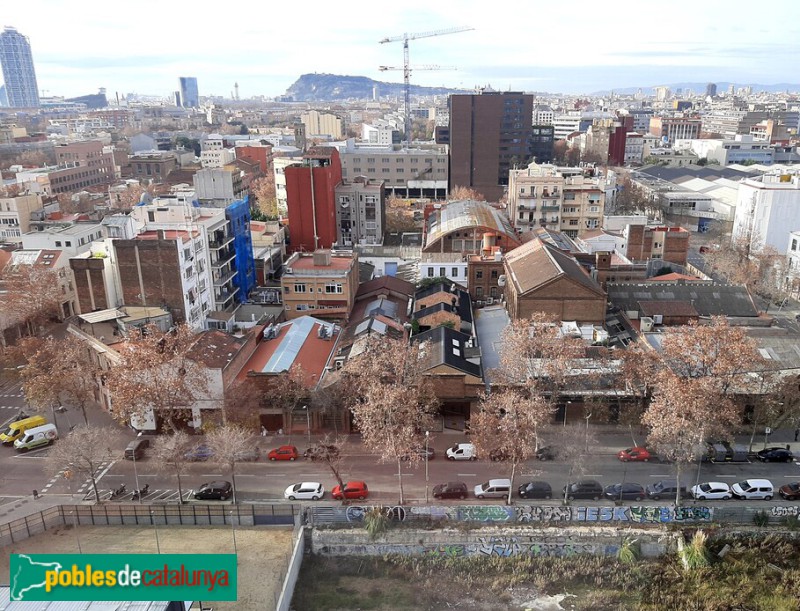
point(82, 452)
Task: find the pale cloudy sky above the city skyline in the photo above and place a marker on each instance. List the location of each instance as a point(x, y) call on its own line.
point(573, 47)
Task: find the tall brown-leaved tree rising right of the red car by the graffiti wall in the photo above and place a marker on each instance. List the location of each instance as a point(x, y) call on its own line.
point(393, 401)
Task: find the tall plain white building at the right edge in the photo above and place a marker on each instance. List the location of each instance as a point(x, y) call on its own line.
point(767, 210)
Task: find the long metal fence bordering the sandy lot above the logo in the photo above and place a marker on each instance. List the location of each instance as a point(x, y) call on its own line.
point(119, 514)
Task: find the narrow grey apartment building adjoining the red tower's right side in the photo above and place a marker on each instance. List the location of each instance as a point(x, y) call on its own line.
point(360, 212)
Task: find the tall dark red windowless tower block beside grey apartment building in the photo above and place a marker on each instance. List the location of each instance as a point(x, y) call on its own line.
point(311, 199)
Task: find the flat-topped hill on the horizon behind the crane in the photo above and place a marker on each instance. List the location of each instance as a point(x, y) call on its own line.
point(330, 87)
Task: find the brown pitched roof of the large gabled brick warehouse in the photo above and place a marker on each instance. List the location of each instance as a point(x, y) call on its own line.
point(535, 264)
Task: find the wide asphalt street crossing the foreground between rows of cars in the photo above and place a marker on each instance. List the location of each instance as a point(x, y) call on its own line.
point(264, 481)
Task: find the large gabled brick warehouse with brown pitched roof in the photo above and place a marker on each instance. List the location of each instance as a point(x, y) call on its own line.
point(541, 278)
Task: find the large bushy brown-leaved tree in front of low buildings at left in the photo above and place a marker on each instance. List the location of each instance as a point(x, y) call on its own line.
point(158, 373)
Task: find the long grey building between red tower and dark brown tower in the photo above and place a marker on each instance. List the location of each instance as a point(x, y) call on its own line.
point(408, 173)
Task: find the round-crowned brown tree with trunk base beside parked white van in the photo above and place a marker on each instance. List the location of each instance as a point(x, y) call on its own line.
point(508, 424)
